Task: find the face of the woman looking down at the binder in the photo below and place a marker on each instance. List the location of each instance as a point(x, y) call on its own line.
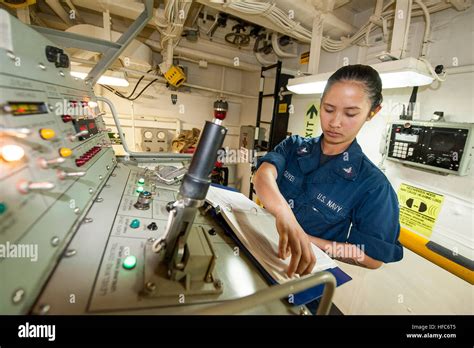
point(344, 109)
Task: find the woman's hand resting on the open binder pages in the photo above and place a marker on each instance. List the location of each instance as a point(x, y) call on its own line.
point(295, 242)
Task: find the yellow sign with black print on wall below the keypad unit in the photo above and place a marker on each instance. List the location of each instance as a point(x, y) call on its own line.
point(419, 208)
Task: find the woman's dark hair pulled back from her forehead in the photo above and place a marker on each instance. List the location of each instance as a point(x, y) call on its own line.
point(359, 73)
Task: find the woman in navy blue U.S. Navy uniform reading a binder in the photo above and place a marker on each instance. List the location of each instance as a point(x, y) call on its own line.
point(325, 190)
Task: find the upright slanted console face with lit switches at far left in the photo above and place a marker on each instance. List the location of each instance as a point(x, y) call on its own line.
point(55, 156)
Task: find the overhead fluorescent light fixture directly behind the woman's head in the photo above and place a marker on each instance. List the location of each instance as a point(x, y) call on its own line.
point(407, 72)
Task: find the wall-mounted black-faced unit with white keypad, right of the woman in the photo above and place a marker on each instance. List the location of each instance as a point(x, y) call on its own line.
point(437, 146)
